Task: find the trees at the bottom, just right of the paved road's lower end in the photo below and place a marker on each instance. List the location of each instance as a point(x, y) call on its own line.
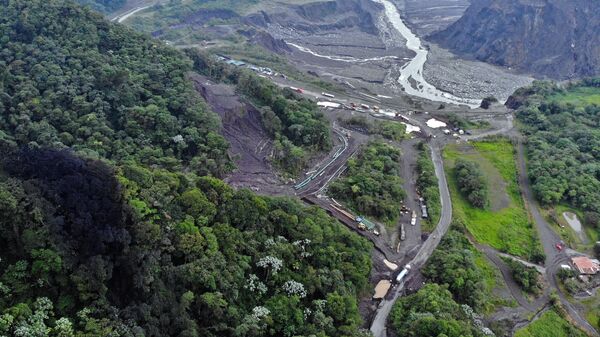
point(456, 293)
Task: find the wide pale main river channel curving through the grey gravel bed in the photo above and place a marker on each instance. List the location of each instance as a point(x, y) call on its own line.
point(411, 75)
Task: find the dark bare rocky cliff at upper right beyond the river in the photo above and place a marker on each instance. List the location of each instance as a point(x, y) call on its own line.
point(549, 38)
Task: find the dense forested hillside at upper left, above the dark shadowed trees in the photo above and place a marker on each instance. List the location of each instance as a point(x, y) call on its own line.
point(69, 79)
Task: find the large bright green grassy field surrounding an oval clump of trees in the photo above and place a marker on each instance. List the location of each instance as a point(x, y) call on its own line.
point(505, 224)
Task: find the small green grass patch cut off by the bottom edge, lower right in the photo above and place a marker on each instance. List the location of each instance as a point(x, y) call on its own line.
point(550, 324)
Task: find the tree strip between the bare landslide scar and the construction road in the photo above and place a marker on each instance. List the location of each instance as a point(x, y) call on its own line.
point(296, 123)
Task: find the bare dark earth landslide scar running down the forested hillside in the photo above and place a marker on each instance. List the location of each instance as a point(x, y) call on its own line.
point(250, 145)
